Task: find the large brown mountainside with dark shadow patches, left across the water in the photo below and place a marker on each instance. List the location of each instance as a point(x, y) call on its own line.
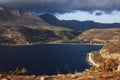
point(21, 28)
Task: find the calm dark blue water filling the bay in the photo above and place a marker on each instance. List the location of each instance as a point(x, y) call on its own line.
point(46, 59)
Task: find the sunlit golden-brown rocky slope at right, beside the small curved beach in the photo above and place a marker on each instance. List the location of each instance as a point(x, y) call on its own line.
point(109, 51)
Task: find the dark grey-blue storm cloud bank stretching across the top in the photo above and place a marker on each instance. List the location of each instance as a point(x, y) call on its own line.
point(62, 5)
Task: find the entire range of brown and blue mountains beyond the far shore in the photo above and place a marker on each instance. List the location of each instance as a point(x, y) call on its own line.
point(22, 28)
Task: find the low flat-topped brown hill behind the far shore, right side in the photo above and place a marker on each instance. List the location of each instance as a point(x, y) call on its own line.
point(101, 36)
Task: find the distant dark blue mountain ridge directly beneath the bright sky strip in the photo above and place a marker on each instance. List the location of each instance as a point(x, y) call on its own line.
point(76, 25)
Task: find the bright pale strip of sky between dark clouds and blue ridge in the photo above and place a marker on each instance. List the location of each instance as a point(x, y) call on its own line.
point(83, 16)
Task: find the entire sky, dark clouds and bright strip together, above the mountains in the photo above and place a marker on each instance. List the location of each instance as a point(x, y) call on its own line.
point(103, 11)
